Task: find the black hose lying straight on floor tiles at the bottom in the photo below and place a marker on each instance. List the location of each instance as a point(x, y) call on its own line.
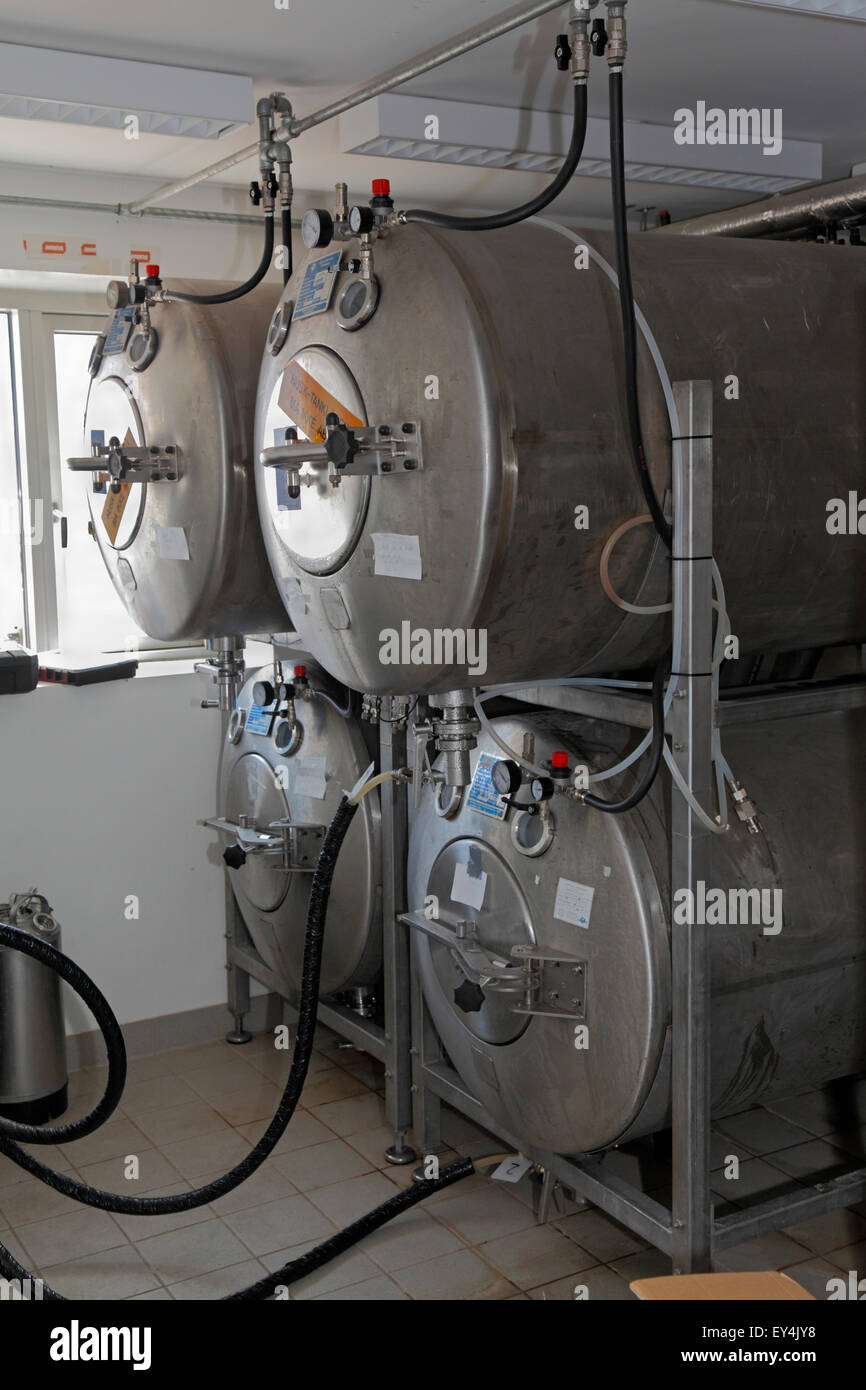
point(313, 1260)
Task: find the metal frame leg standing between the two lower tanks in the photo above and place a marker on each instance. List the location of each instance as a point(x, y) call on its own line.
point(395, 947)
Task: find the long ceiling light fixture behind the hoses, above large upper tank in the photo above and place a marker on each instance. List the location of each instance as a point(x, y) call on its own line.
point(497, 137)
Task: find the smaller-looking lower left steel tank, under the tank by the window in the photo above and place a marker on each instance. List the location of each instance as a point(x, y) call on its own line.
point(272, 775)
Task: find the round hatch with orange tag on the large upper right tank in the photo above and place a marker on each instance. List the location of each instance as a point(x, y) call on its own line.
point(320, 529)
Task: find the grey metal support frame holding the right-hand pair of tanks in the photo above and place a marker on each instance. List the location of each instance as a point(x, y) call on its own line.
point(689, 1232)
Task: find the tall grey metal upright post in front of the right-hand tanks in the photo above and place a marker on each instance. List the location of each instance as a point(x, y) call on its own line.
point(692, 729)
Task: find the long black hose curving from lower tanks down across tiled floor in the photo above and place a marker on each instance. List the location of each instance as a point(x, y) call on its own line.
point(318, 910)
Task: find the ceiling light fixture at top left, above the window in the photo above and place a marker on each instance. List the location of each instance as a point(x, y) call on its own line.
point(80, 90)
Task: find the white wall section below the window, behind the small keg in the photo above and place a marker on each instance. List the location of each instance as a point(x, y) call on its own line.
point(102, 790)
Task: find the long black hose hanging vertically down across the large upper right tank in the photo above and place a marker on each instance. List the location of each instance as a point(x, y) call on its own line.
point(630, 338)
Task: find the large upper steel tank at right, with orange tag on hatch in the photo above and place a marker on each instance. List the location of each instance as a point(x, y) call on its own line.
point(508, 358)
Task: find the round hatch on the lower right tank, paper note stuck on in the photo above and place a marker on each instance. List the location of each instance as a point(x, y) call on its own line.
point(473, 885)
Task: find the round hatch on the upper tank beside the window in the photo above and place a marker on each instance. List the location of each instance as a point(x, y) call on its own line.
point(113, 414)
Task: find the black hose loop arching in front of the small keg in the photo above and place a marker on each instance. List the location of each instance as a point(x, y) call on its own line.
point(102, 1011)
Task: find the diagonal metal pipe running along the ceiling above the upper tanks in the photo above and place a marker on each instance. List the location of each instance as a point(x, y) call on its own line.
point(394, 77)
